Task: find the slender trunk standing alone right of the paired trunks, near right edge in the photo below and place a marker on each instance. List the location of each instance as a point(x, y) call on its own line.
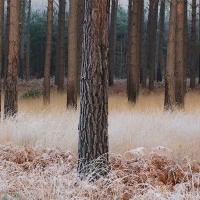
point(193, 46)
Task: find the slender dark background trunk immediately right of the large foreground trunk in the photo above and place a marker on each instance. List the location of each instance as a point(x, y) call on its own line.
point(112, 41)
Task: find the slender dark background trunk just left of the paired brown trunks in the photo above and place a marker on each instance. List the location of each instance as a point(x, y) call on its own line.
point(161, 39)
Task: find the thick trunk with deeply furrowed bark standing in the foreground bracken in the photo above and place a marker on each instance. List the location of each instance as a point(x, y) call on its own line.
point(93, 123)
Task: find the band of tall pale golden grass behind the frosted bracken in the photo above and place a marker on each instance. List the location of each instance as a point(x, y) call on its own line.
point(143, 125)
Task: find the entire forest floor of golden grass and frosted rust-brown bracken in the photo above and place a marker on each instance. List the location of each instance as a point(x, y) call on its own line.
point(153, 154)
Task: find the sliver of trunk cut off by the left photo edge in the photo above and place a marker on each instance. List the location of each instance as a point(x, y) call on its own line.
point(1, 44)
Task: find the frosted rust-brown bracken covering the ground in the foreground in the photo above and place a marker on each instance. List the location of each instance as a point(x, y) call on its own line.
point(51, 174)
